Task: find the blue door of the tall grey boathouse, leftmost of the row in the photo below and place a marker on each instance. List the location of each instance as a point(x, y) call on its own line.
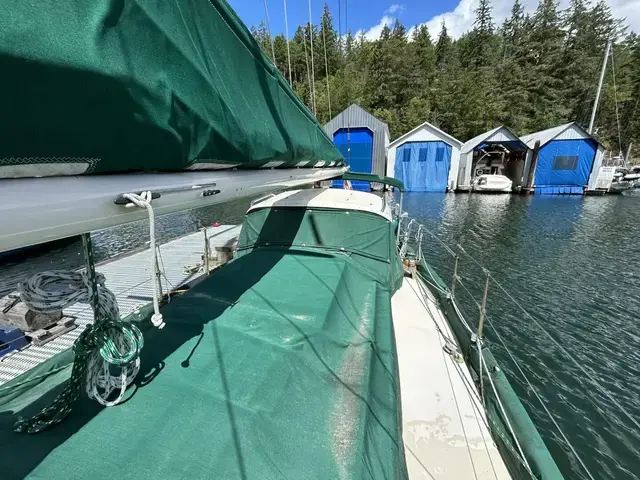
point(356, 145)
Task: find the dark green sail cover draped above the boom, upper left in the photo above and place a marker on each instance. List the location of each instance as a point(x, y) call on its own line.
point(96, 86)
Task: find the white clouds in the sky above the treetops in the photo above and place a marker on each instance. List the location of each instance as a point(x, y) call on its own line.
point(460, 19)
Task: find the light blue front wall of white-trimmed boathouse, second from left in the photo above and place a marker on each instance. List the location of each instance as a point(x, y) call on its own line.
point(423, 166)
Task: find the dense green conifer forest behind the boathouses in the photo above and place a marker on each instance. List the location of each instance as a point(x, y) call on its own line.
point(532, 73)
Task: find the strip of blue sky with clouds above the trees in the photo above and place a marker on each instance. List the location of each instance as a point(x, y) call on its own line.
point(369, 16)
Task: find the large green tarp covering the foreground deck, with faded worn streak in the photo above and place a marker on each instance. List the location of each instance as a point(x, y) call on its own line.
point(280, 365)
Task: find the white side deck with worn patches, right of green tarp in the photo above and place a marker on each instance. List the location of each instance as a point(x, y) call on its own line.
point(444, 426)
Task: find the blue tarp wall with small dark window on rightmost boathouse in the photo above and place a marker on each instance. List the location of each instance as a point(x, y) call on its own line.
point(564, 166)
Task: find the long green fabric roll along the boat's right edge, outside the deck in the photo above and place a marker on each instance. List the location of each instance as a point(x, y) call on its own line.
point(534, 448)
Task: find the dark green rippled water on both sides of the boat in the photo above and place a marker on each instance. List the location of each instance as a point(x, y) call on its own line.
point(574, 263)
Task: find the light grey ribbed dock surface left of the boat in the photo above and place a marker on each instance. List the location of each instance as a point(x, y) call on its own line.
point(129, 278)
